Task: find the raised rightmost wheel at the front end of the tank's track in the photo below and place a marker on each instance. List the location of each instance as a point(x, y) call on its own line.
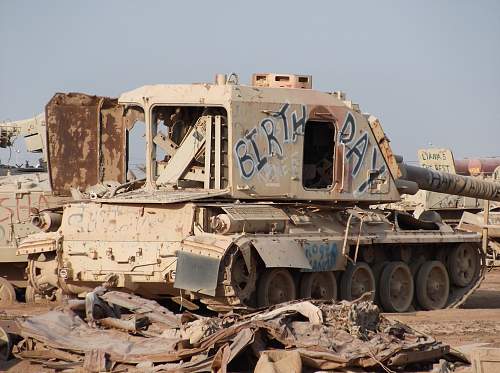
point(463, 264)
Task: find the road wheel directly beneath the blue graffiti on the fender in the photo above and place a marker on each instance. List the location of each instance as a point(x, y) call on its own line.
point(318, 285)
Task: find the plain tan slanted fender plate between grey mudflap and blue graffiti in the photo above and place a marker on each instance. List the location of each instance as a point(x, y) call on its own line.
point(281, 252)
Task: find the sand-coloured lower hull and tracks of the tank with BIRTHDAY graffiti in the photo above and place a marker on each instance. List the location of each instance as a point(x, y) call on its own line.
point(171, 250)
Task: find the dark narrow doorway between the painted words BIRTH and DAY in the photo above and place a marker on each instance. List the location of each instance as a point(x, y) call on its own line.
point(319, 148)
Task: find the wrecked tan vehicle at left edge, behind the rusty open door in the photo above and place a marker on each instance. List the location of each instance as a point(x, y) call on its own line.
point(21, 188)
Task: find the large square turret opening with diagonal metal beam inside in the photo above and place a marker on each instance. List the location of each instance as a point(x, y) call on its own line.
point(190, 146)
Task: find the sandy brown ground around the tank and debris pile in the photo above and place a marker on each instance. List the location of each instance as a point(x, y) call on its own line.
point(477, 321)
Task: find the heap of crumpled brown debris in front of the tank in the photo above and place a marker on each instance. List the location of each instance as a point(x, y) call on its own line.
point(110, 330)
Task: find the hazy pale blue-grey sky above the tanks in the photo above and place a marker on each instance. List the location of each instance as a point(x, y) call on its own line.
point(430, 70)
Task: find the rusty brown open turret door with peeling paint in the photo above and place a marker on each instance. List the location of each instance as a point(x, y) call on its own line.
point(82, 149)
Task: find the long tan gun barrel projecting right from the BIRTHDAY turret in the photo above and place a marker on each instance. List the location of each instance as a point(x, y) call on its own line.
point(443, 182)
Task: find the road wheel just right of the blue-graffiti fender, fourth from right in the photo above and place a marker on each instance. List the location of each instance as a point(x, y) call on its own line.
point(356, 280)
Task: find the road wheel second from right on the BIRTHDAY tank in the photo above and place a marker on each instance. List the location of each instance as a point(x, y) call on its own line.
point(433, 285)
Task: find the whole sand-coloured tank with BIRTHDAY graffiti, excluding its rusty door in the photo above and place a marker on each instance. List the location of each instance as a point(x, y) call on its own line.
point(259, 194)
